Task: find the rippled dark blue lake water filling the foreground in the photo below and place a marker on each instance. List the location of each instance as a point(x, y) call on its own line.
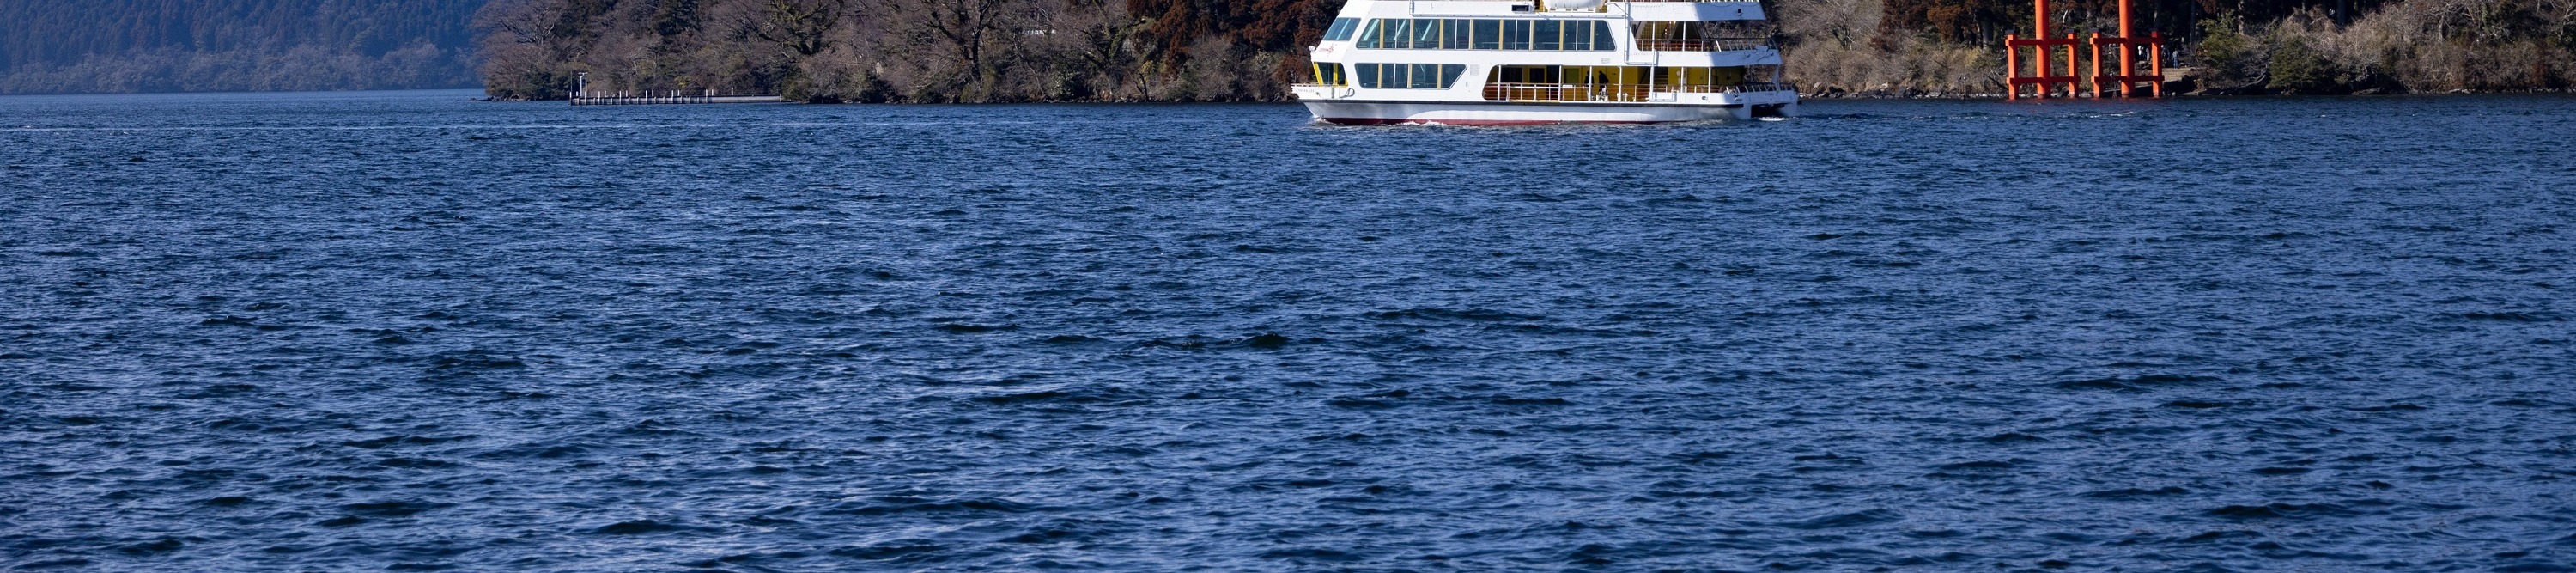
point(413, 332)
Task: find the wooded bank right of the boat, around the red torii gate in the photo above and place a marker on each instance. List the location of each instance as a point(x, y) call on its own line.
point(1905, 48)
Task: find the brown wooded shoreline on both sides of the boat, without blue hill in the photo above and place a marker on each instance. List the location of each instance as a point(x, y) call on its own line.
point(1209, 50)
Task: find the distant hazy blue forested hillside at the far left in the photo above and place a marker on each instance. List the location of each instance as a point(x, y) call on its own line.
point(236, 45)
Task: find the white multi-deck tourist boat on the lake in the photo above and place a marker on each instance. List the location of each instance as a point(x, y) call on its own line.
point(1485, 63)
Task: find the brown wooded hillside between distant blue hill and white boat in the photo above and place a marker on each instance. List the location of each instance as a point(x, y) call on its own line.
point(905, 50)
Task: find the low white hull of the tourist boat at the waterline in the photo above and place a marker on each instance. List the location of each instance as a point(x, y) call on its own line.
point(1516, 112)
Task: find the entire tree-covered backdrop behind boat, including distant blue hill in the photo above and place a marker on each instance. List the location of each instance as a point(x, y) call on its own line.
point(1176, 50)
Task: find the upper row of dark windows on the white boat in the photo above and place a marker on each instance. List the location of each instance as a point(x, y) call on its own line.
point(1475, 35)
